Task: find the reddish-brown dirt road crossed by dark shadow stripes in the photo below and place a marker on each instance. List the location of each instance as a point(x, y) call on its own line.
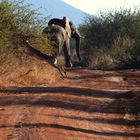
point(88, 105)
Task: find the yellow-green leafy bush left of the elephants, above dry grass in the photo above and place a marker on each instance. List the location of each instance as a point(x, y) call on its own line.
point(17, 21)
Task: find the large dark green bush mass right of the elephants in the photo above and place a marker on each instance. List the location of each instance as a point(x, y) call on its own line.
point(112, 40)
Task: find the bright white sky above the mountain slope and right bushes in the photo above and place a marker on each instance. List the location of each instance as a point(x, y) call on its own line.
point(93, 6)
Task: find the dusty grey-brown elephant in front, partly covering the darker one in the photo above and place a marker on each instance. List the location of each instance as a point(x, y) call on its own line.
point(60, 40)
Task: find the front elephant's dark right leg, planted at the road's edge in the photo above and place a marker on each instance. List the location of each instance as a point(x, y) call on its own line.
point(67, 54)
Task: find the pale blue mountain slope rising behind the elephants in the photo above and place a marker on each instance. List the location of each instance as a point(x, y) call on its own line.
point(58, 9)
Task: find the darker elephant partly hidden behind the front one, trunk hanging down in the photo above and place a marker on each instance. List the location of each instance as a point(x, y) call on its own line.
point(74, 32)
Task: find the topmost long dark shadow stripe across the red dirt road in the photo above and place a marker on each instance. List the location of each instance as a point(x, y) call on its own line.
point(70, 90)
